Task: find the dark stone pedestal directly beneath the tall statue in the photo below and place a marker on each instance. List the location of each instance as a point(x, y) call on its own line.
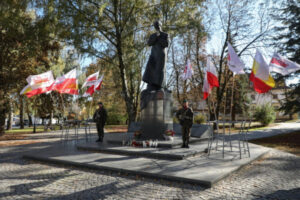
point(156, 116)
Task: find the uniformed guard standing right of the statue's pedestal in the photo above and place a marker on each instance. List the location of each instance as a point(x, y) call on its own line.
point(185, 115)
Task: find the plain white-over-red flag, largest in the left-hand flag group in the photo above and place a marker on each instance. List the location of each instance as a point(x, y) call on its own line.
point(66, 83)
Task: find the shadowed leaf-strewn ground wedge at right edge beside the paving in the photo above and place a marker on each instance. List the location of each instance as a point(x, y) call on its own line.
point(286, 142)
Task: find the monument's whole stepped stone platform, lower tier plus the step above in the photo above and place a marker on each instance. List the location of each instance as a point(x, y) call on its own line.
point(184, 165)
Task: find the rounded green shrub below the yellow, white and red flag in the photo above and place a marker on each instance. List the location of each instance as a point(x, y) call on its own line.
point(265, 114)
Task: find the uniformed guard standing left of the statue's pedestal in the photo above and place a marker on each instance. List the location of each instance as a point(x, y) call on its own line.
point(100, 117)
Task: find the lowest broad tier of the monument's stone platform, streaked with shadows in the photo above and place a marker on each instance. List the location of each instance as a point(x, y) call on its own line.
point(199, 170)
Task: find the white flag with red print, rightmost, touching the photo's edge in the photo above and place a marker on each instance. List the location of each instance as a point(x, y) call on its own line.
point(282, 65)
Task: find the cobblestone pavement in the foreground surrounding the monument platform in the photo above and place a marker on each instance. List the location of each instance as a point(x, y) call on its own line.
point(276, 176)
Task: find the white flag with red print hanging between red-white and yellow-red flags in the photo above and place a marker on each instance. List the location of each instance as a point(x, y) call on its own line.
point(234, 62)
